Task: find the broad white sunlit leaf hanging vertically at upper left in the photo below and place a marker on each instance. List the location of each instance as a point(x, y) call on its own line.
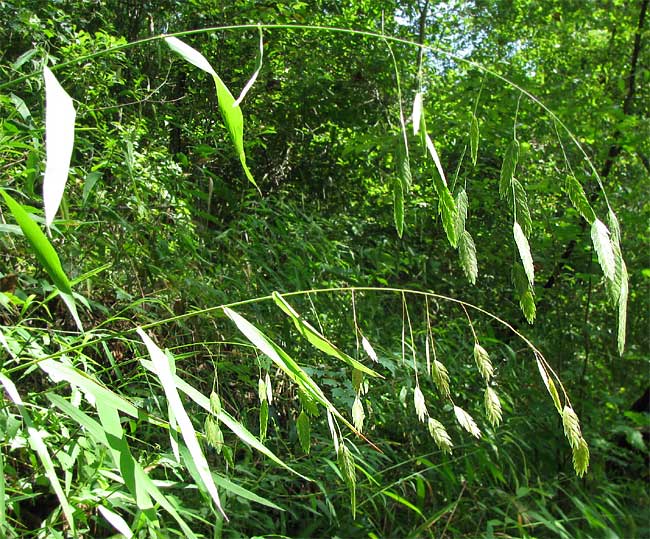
point(59, 142)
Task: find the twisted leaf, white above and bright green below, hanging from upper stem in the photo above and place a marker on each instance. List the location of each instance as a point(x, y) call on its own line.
point(230, 110)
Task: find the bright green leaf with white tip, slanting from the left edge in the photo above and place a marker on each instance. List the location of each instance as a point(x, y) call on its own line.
point(45, 254)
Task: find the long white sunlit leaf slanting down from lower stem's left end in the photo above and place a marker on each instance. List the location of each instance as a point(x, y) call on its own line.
point(166, 377)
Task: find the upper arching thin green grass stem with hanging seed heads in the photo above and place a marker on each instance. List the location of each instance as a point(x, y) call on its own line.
point(334, 29)
